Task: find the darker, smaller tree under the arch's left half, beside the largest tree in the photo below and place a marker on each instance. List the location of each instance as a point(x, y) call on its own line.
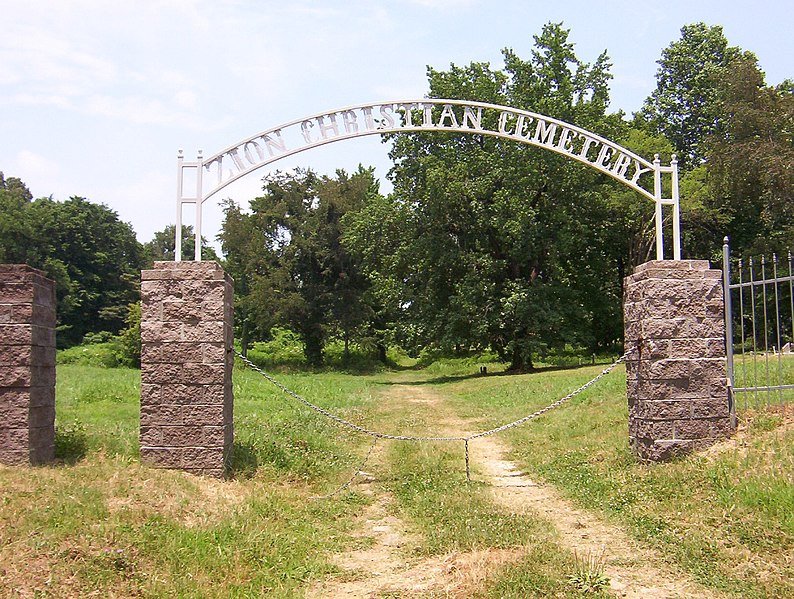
point(288, 262)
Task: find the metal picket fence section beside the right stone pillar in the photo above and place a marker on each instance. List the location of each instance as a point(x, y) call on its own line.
point(759, 329)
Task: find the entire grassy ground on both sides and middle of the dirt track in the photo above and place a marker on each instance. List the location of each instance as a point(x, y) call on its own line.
point(99, 522)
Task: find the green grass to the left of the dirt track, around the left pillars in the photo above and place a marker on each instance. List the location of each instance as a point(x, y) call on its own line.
point(100, 522)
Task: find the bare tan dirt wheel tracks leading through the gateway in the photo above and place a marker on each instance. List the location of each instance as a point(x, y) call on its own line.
point(385, 563)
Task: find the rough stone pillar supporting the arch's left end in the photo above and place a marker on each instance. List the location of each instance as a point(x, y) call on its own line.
point(186, 367)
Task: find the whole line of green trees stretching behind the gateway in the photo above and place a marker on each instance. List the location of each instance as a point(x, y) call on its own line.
point(483, 243)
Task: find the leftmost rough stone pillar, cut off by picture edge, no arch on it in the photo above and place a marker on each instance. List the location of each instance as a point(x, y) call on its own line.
point(27, 365)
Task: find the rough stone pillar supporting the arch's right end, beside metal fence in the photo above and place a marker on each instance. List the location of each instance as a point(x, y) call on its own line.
point(675, 367)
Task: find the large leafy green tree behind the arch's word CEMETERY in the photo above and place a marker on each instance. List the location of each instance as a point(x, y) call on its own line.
point(490, 243)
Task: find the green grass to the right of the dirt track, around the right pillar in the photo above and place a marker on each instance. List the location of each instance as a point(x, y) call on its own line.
point(725, 518)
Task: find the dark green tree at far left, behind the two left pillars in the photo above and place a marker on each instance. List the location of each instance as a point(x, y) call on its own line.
point(93, 257)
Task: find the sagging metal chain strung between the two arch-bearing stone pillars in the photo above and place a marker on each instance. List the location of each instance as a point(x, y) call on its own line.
point(379, 435)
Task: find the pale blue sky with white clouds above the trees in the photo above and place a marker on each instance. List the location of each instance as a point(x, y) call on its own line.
point(98, 96)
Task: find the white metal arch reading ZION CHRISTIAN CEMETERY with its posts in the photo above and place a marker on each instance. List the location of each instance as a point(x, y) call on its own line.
point(214, 173)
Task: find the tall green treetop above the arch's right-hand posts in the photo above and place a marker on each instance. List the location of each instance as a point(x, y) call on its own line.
point(684, 106)
